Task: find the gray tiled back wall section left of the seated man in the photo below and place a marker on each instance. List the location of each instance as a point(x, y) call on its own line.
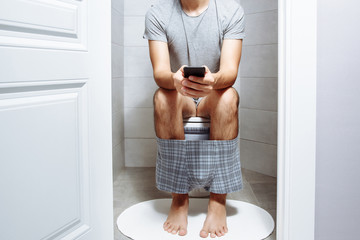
point(139, 87)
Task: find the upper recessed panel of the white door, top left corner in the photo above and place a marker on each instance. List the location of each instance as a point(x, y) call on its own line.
point(44, 24)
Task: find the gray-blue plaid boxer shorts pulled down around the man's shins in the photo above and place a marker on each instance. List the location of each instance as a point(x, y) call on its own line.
point(214, 165)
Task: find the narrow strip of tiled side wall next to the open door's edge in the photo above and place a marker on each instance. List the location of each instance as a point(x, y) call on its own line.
point(117, 54)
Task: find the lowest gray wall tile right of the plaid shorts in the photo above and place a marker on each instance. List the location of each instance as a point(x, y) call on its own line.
point(259, 157)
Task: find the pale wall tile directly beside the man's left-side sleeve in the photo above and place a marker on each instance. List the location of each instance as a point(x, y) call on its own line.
point(134, 30)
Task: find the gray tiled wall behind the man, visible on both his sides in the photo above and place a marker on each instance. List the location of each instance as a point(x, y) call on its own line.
point(257, 87)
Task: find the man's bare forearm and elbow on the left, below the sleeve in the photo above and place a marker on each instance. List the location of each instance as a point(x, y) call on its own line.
point(160, 59)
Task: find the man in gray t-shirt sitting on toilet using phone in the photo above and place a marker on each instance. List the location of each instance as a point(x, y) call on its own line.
point(196, 33)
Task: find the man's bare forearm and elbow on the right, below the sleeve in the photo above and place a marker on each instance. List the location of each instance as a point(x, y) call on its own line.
point(229, 64)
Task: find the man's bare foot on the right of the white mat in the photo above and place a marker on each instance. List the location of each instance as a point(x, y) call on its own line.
point(215, 222)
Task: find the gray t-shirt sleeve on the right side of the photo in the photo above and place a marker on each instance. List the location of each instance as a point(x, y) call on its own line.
point(236, 27)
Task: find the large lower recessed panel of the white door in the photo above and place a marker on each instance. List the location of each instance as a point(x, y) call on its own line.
point(46, 172)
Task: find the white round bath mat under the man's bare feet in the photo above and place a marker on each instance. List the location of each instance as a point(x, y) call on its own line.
point(144, 221)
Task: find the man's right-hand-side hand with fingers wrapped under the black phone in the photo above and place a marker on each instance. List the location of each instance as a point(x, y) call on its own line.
point(198, 86)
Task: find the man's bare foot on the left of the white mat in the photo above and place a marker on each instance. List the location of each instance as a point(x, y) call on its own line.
point(177, 218)
